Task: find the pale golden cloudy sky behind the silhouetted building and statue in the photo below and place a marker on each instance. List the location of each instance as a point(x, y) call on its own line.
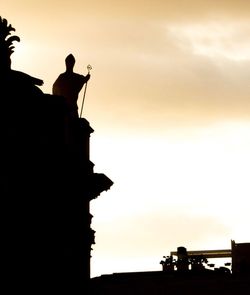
point(169, 100)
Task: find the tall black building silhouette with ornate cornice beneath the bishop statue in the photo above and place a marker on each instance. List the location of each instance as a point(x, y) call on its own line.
point(48, 182)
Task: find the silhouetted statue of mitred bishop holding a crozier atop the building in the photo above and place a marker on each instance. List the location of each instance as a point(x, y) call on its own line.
point(69, 84)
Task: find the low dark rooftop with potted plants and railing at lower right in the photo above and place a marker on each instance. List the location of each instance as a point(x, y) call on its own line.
point(186, 274)
